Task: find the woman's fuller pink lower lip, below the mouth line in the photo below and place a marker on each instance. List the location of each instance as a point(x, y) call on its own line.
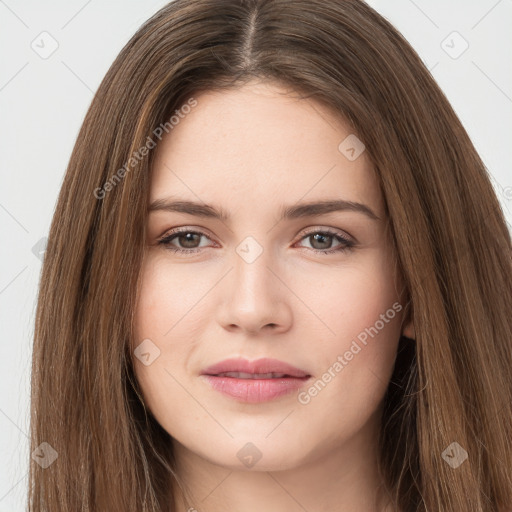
point(255, 390)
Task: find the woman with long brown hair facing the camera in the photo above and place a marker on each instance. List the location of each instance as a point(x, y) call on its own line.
point(198, 347)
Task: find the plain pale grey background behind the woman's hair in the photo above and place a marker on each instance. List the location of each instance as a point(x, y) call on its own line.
point(43, 99)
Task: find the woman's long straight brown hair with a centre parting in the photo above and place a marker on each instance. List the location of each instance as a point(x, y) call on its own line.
point(452, 384)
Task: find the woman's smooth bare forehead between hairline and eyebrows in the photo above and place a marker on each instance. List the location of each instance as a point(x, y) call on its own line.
point(261, 145)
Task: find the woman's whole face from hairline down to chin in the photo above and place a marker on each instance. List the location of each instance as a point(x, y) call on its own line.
point(315, 289)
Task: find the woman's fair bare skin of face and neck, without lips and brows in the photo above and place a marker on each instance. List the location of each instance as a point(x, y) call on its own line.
point(251, 150)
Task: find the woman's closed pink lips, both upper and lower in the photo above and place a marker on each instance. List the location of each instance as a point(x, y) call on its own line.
point(253, 390)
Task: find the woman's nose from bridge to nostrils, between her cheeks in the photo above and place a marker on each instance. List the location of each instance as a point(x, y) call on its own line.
point(255, 298)
